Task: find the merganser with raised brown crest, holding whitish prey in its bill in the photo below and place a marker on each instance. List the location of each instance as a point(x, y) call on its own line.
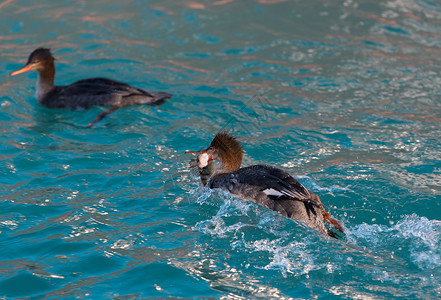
point(268, 186)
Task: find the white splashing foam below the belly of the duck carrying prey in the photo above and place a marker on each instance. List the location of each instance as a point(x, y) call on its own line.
point(284, 254)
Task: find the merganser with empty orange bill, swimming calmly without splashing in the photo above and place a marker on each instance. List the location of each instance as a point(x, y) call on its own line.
point(84, 93)
